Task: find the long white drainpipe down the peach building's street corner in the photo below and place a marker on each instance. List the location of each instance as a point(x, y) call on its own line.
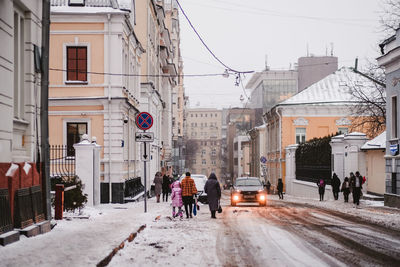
point(109, 105)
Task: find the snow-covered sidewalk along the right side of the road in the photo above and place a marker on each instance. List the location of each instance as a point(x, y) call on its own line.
point(370, 211)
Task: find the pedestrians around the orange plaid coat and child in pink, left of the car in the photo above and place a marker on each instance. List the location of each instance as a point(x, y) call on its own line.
point(183, 193)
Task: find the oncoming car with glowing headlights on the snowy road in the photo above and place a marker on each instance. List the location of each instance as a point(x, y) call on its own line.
point(248, 189)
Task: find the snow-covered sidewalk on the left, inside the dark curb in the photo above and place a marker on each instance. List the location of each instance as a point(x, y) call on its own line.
point(82, 242)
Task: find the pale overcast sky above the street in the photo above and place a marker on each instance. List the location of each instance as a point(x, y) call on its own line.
point(241, 33)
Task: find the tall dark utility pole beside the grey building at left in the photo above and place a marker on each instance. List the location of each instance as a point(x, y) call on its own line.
point(44, 107)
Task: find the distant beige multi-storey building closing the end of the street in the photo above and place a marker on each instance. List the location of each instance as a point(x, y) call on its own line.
point(203, 144)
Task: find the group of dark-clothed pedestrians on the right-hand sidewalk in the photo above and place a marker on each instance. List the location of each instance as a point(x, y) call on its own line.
point(350, 185)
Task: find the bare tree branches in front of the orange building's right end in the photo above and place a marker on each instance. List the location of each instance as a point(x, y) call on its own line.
point(370, 111)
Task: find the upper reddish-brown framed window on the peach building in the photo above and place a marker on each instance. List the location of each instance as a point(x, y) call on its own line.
point(77, 63)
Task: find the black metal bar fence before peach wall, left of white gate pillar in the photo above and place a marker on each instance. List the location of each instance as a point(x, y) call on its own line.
point(61, 164)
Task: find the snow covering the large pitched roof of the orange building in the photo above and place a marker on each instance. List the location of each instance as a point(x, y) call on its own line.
point(333, 89)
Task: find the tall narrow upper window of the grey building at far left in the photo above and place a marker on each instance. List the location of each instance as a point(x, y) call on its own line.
point(19, 72)
